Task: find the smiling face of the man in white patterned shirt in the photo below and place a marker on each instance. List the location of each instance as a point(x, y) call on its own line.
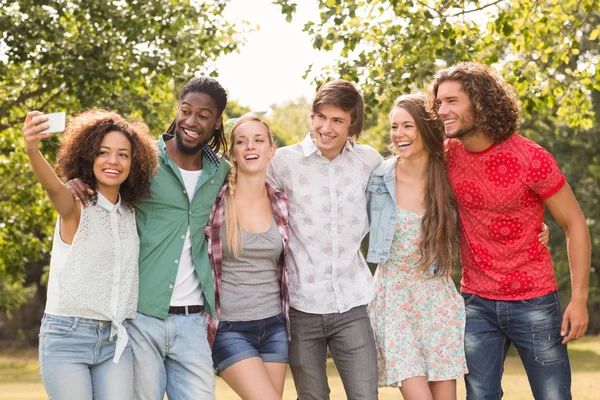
point(331, 126)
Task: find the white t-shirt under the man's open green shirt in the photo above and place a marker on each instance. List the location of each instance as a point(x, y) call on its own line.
point(188, 290)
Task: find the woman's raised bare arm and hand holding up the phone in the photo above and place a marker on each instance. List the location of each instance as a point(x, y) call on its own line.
point(59, 195)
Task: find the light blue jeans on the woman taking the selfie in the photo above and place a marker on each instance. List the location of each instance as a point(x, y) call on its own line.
point(76, 360)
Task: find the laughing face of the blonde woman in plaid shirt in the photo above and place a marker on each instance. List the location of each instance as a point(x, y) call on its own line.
point(252, 147)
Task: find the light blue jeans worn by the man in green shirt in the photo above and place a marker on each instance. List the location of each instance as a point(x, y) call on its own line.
point(171, 355)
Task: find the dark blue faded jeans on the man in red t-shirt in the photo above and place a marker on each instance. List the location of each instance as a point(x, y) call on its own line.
point(533, 326)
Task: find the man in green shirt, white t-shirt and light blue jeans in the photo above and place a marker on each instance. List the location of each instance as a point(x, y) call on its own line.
point(169, 334)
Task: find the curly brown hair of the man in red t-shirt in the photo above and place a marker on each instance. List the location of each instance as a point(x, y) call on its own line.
point(495, 102)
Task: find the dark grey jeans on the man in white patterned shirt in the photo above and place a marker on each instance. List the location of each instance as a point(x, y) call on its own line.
point(349, 337)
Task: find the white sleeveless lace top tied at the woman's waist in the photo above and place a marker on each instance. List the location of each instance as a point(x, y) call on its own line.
point(96, 277)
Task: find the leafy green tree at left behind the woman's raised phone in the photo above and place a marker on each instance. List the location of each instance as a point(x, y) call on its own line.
point(71, 55)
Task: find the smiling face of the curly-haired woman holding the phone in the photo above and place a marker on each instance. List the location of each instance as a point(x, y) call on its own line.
point(113, 162)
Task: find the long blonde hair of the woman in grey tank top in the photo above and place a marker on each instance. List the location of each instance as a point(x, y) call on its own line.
point(234, 234)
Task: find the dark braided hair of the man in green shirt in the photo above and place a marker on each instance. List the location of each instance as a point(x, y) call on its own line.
point(212, 88)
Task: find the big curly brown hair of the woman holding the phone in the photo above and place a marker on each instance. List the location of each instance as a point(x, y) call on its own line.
point(80, 145)
